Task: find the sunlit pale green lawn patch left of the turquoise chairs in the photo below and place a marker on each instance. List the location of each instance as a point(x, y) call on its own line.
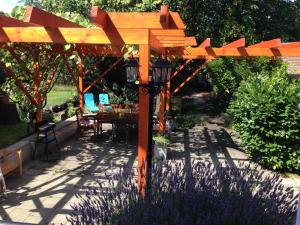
point(59, 94)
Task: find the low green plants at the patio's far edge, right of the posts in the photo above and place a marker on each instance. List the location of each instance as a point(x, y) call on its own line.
point(188, 121)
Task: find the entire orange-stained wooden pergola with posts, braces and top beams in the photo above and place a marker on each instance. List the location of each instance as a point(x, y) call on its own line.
point(159, 33)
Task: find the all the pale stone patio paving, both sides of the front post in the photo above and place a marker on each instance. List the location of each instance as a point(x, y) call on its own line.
point(46, 191)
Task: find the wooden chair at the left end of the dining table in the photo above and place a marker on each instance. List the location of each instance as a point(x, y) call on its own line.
point(85, 122)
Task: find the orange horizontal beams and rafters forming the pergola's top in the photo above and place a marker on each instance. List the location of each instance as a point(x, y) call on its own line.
point(163, 32)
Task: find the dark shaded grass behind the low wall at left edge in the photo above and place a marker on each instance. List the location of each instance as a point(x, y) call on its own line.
point(12, 133)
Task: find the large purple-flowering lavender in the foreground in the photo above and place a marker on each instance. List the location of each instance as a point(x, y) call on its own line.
point(203, 194)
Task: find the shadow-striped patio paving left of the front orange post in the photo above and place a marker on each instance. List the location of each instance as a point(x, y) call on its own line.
point(47, 189)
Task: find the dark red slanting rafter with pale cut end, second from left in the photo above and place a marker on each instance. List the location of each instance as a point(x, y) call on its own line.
point(37, 16)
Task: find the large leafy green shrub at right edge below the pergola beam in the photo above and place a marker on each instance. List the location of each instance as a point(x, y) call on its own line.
point(266, 113)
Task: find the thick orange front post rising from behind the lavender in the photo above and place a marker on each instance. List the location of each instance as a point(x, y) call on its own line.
point(143, 119)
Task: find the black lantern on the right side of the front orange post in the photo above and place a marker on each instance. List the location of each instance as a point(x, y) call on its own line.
point(161, 71)
